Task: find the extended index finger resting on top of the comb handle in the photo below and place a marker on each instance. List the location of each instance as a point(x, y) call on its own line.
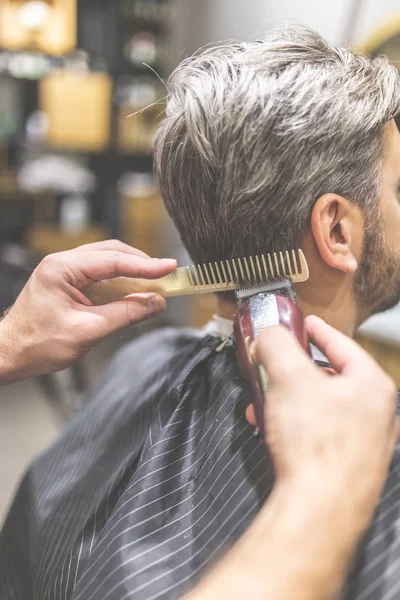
point(87, 267)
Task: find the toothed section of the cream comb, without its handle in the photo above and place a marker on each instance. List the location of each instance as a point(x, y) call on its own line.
point(250, 270)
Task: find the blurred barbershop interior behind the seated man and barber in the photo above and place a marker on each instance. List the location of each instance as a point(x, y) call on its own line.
point(76, 161)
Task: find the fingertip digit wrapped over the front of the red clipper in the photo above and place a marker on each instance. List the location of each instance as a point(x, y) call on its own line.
point(281, 355)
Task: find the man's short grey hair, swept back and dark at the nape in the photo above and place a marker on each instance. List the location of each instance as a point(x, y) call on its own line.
point(256, 132)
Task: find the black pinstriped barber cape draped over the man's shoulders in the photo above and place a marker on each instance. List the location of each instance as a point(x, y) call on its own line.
point(153, 480)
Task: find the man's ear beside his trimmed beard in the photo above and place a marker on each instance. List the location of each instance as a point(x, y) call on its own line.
point(337, 226)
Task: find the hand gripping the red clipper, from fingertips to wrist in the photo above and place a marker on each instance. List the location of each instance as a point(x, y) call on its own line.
point(334, 432)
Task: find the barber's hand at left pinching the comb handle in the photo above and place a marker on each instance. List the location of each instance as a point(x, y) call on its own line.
point(52, 323)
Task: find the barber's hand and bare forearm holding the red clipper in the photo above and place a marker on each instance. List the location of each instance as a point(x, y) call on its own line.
point(331, 438)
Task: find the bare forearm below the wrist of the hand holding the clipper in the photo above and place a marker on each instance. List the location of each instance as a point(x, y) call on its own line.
point(299, 546)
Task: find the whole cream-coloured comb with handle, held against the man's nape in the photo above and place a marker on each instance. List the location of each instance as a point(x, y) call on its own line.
point(219, 276)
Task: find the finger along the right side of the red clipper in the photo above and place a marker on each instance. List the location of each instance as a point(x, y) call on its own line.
point(343, 353)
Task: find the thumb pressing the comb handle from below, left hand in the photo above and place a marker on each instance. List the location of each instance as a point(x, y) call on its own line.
point(129, 310)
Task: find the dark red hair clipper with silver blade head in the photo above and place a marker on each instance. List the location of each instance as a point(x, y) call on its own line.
point(257, 311)
